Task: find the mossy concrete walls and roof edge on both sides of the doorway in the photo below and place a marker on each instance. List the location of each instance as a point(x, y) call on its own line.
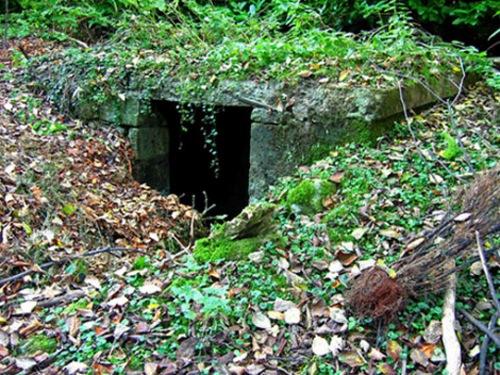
point(288, 125)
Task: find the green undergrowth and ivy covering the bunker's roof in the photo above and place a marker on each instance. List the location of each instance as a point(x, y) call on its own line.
point(192, 54)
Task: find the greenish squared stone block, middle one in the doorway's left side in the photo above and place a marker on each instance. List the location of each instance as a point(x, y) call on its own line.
point(149, 143)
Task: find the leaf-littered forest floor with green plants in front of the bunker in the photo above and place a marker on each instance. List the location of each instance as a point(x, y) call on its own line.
point(66, 189)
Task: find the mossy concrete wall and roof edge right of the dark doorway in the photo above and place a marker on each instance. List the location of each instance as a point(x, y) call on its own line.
point(325, 116)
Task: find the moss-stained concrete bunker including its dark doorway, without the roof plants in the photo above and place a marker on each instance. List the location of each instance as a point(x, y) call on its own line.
point(264, 130)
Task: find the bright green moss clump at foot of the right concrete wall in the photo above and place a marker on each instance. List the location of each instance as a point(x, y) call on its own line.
point(308, 195)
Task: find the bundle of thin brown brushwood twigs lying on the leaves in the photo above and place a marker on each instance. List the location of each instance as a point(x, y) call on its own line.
point(379, 295)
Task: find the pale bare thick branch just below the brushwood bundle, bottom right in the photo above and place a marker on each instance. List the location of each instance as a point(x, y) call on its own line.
point(450, 340)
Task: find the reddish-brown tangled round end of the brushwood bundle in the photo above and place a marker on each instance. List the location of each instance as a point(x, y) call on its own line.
point(374, 294)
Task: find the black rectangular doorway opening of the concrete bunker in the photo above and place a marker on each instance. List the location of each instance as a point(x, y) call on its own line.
point(217, 169)
